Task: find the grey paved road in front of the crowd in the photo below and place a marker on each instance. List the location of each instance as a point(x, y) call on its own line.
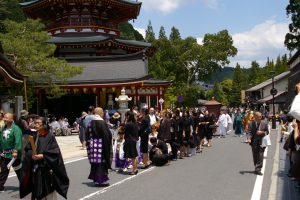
point(223, 171)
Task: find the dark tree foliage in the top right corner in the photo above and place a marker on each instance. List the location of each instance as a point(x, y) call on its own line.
point(292, 38)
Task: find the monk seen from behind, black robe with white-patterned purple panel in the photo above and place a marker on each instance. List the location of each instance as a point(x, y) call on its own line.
point(99, 149)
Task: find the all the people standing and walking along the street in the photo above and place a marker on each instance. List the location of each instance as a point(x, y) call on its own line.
point(146, 137)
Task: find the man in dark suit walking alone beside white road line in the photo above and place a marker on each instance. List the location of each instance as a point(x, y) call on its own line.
point(257, 130)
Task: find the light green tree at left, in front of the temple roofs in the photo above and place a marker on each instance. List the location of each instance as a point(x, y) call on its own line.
point(26, 46)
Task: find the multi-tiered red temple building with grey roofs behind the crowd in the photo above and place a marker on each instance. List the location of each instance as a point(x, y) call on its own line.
point(86, 34)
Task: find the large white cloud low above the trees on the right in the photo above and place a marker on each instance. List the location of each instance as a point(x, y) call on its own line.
point(262, 41)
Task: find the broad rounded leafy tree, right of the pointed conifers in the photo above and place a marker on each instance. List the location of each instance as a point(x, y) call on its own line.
point(200, 61)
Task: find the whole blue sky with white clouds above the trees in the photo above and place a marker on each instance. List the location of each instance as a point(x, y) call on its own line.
point(258, 27)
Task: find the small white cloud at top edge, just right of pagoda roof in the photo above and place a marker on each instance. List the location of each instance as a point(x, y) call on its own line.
point(165, 6)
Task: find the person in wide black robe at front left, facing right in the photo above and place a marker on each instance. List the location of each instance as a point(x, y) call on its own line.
point(44, 172)
